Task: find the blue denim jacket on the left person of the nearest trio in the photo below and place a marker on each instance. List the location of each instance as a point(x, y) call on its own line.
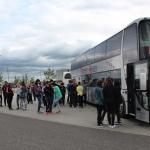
point(99, 96)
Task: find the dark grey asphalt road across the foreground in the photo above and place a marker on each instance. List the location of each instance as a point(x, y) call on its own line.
point(19, 133)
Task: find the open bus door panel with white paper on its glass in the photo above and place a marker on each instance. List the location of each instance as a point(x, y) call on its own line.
point(141, 74)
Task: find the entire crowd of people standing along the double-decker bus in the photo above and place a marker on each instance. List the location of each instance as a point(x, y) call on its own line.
point(107, 96)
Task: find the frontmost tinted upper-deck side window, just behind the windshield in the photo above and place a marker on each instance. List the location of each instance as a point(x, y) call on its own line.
point(130, 52)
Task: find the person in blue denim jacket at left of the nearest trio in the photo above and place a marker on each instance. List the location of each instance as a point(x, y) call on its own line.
point(99, 102)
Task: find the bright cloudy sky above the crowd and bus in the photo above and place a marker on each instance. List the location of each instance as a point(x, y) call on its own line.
point(40, 34)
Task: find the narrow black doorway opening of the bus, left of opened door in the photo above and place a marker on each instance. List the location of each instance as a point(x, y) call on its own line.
point(130, 88)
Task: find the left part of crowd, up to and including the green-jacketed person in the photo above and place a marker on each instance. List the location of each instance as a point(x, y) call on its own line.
point(48, 95)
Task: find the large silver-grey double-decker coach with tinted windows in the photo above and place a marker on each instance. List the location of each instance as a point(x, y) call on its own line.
point(125, 57)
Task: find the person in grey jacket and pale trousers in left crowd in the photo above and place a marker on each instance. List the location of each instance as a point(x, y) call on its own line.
point(23, 96)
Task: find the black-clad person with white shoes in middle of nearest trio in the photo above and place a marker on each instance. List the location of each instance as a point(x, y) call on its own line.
point(109, 96)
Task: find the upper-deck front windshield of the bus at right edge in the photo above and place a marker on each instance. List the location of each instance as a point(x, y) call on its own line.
point(144, 34)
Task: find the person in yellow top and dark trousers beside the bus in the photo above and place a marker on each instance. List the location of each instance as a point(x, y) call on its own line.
point(80, 94)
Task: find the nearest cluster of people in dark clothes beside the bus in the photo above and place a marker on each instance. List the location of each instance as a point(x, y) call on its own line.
point(108, 99)
